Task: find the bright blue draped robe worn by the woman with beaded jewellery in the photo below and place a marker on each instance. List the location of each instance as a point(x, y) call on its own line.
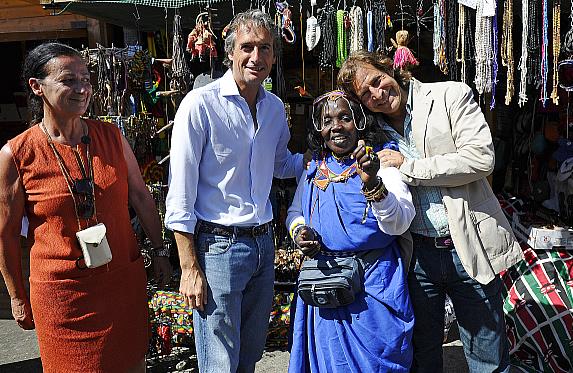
point(373, 334)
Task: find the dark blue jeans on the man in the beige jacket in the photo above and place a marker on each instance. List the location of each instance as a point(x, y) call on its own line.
point(479, 312)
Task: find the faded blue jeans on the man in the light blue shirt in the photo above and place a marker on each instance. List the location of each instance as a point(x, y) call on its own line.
point(230, 333)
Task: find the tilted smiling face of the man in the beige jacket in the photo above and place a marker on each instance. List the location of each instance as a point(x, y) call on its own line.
point(378, 91)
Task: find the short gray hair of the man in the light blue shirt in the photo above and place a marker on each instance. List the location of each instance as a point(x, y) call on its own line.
point(253, 18)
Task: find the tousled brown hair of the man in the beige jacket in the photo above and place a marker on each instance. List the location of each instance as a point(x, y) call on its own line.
point(379, 61)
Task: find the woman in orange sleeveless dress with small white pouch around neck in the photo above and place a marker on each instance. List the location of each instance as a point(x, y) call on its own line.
point(66, 174)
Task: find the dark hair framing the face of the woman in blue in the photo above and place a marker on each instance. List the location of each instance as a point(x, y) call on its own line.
point(372, 133)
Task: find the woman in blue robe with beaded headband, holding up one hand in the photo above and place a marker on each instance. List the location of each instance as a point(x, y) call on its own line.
point(330, 214)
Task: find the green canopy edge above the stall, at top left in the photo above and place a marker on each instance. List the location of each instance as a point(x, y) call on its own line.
point(152, 15)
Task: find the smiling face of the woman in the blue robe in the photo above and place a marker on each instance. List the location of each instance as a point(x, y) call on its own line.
point(337, 127)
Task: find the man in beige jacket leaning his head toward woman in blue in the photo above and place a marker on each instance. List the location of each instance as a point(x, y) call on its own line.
point(461, 238)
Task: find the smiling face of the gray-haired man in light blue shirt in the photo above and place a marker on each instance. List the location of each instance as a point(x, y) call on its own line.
point(253, 57)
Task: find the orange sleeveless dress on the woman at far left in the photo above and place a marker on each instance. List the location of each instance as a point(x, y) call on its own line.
point(87, 320)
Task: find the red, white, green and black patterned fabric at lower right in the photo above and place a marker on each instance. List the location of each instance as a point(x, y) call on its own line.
point(539, 311)
